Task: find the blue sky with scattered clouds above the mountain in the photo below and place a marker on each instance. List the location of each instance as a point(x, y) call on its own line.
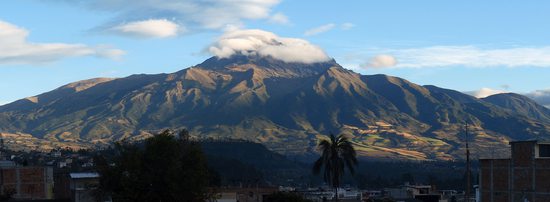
point(496, 46)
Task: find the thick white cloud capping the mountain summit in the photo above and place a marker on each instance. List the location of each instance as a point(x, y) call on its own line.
point(267, 44)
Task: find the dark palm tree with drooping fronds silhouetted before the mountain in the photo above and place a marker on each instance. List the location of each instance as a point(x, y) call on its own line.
point(337, 153)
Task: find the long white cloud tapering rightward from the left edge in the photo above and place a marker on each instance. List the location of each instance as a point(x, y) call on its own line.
point(15, 49)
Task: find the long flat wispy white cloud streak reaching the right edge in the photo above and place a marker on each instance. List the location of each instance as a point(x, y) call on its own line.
point(471, 56)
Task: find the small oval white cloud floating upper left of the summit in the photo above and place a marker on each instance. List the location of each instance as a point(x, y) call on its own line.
point(160, 28)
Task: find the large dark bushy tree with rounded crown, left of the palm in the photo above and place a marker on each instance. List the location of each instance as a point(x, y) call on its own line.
point(163, 168)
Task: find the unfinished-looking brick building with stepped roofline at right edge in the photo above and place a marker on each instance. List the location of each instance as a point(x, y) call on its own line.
point(523, 177)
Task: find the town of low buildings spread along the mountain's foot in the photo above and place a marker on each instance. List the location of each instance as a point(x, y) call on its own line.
point(68, 175)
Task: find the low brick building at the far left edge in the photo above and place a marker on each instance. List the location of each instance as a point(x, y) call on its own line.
point(29, 183)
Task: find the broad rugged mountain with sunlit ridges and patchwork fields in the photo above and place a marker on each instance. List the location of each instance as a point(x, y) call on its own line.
point(285, 106)
